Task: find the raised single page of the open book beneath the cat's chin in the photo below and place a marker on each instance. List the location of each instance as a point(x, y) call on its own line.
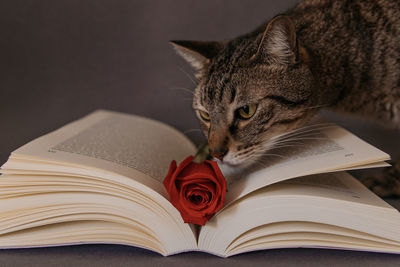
point(324, 150)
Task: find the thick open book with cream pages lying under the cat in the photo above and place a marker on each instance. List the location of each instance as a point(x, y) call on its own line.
point(99, 180)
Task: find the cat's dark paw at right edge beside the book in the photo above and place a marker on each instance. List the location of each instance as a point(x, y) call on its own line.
point(386, 183)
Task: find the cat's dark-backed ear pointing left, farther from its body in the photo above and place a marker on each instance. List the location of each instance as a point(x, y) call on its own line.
point(197, 53)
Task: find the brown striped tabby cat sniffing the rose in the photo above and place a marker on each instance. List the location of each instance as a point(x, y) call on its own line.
point(342, 55)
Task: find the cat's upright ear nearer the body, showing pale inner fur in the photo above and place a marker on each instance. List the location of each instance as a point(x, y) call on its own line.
point(278, 43)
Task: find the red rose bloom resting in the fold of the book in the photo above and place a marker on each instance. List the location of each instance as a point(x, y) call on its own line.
point(197, 190)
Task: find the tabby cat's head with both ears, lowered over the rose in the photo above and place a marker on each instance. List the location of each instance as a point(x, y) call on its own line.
point(251, 89)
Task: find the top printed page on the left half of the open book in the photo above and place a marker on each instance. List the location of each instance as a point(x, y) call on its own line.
point(113, 142)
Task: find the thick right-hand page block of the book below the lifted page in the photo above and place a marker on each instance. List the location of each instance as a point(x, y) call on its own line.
point(325, 210)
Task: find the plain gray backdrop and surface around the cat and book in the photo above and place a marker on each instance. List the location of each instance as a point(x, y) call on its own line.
point(60, 60)
